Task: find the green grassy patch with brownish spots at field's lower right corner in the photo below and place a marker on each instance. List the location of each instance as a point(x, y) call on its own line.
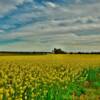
point(88, 89)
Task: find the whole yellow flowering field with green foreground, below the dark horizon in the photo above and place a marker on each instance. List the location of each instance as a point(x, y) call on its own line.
point(50, 77)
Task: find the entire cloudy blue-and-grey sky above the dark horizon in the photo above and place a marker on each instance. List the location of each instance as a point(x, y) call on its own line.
point(41, 25)
